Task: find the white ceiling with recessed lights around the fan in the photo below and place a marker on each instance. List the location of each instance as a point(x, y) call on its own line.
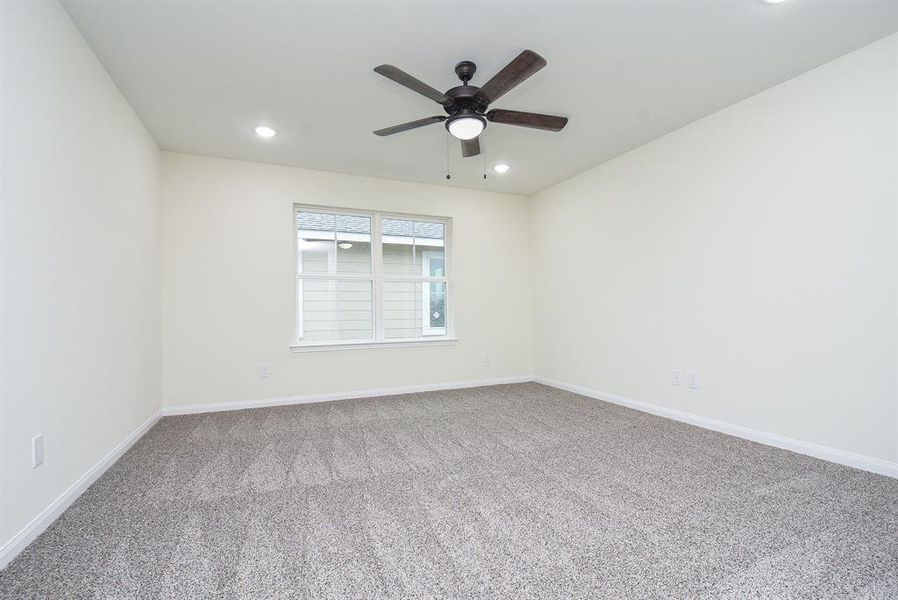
point(200, 74)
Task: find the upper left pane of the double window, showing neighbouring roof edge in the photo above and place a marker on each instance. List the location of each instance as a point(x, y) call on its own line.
point(334, 243)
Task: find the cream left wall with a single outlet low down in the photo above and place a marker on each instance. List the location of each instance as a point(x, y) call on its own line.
point(81, 343)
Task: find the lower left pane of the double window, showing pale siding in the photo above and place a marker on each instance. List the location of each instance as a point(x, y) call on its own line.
point(335, 310)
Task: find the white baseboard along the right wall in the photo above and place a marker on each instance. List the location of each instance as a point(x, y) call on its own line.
point(842, 457)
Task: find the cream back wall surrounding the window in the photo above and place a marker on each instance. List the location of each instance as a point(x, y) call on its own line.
point(228, 283)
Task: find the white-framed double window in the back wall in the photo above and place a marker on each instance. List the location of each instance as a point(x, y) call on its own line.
point(368, 279)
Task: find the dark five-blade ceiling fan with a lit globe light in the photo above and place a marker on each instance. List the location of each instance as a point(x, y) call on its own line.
point(467, 105)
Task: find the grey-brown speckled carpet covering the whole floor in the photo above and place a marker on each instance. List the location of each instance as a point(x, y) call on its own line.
point(518, 491)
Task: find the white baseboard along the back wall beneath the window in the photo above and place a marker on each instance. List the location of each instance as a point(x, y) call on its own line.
point(190, 409)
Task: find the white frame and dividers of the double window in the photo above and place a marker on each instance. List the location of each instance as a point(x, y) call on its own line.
point(430, 336)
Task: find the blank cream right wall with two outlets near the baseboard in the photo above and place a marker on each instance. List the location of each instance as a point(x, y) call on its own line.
point(756, 246)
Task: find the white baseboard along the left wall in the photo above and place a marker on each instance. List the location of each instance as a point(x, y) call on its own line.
point(29, 533)
